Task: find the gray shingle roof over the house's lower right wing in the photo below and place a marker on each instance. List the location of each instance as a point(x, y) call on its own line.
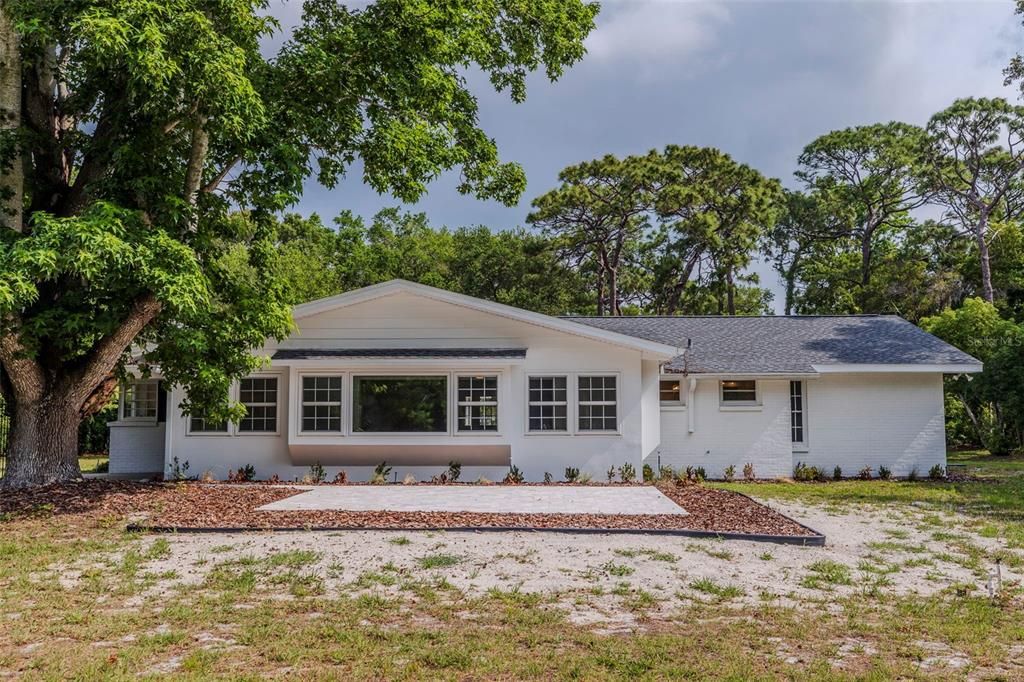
point(788, 345)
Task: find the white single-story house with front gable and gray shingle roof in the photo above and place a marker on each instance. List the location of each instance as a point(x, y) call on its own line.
point(418, 377)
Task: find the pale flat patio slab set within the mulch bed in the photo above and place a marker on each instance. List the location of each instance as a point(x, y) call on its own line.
point(497, 500)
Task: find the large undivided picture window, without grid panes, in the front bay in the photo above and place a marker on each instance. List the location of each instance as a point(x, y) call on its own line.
point(400, 405)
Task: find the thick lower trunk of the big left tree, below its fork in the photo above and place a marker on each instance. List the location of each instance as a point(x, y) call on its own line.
point(44, 446)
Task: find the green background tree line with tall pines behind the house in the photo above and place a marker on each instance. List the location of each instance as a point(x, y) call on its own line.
point(883, 219)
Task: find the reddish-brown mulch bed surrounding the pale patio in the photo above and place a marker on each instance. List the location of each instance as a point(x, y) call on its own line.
point(201, 506)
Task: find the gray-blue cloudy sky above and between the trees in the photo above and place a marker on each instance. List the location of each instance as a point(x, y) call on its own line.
point(757, 79)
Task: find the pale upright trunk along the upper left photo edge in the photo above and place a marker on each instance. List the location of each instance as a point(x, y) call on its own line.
point(13, 175)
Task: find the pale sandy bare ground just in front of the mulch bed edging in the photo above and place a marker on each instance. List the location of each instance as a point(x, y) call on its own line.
point(869, 549)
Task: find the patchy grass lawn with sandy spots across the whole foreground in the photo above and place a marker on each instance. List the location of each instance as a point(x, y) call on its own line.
point(81, 599)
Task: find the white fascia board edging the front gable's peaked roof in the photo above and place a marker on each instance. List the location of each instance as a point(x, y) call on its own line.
point(651, 350)
